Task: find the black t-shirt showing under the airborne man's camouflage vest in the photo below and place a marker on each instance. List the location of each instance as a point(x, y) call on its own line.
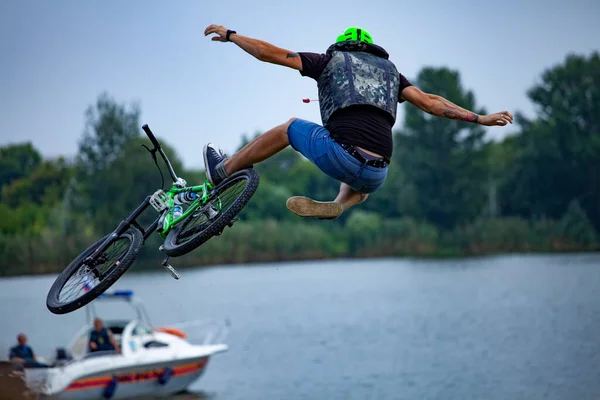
point(364, 126)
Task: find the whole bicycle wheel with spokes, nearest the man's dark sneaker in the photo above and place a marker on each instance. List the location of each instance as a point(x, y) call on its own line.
point(225, 202)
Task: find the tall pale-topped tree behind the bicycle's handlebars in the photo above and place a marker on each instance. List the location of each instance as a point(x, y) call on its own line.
point(114, 172)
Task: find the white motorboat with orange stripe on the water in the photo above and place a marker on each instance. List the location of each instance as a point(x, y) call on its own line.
point(153, 361)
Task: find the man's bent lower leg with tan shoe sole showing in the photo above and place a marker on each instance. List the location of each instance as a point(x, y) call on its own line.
point(306, 207)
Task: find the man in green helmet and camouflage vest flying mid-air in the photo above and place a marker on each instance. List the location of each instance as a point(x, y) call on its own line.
point(359, 91)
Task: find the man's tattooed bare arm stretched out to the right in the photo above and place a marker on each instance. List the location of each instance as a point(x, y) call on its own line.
point(441, 107)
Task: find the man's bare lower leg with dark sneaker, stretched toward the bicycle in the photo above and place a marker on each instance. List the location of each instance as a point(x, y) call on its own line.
point(264, 146)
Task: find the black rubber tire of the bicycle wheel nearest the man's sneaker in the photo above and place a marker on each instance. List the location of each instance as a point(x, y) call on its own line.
point(170, 246)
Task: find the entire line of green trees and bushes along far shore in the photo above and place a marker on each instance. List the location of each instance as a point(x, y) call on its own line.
point(450, 190)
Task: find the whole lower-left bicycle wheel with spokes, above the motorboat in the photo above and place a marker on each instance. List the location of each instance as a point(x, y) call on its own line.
point(78, 285)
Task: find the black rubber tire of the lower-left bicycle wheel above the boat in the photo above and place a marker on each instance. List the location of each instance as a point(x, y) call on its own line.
point(56, 307)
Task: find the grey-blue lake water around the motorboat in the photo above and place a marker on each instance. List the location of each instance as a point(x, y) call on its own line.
point(509, 327)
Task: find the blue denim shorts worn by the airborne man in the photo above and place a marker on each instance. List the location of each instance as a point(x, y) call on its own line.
point(314, 142)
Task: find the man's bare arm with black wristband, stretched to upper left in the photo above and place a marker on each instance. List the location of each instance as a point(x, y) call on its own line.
point(260, 49)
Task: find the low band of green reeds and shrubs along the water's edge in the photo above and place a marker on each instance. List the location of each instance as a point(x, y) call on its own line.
point(307, 241)
